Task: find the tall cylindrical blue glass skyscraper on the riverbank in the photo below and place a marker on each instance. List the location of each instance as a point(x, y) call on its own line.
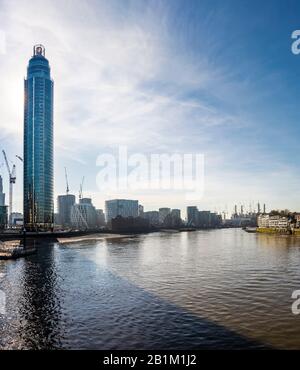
point(38, 143)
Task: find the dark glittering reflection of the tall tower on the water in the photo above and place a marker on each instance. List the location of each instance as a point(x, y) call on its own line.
point(34, 302)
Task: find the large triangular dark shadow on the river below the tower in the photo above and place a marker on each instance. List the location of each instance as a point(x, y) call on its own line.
point(73, 303)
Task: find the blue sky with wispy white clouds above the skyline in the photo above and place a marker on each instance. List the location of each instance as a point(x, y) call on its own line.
point(210, 77)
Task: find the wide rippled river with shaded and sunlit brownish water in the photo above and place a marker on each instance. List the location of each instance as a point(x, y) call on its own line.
point(191, 290)
